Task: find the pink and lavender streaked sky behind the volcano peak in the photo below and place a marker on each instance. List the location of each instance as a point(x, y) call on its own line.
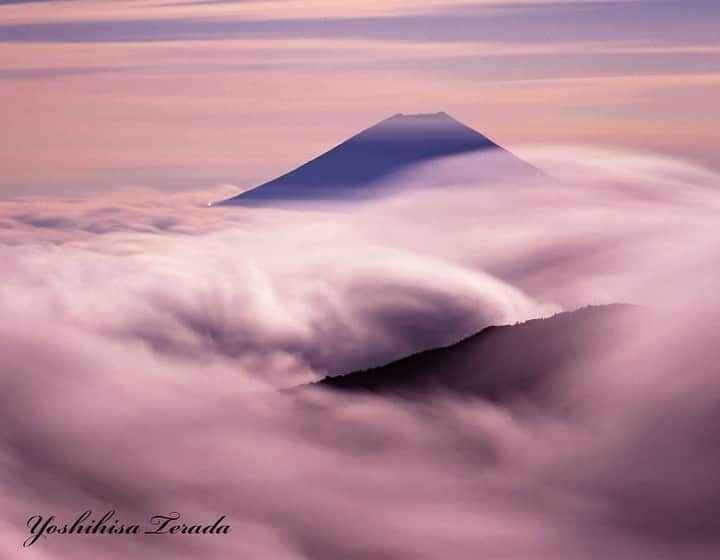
point(184, 94)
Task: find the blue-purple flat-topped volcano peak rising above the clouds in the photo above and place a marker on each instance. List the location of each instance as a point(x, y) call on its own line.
point(351, 169)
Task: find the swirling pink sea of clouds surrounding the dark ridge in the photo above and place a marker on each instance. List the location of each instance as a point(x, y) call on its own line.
point(144, 338)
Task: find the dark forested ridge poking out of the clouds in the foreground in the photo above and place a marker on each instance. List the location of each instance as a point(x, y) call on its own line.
point(498, 362)
